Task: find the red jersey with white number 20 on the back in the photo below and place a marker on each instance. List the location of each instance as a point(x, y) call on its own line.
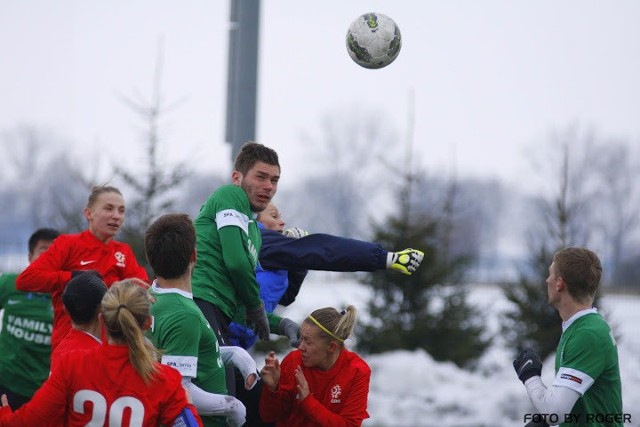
point(101, 387)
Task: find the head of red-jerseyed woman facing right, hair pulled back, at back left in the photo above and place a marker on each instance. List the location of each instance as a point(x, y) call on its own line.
point(106, 216)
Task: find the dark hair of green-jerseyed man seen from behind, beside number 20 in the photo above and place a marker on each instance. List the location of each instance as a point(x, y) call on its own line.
point(169, 243)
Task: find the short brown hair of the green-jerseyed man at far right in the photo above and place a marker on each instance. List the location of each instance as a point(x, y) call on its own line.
point(580, 269)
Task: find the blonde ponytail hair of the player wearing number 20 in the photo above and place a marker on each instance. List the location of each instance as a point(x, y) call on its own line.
point(125, 308)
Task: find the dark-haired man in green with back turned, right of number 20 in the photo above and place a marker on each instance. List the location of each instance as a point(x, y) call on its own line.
point(180, 329)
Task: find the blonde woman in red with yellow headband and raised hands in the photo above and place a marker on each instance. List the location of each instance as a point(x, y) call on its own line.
point(321, 383)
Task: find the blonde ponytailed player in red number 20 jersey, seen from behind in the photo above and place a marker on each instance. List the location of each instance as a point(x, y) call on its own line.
point(119, 383)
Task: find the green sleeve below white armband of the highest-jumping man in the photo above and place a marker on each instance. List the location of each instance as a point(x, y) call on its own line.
point(239, 266)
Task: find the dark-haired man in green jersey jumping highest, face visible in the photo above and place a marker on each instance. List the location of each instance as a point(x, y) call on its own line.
point(228, 242)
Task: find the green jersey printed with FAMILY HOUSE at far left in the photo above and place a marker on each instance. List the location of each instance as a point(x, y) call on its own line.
point(25, 339)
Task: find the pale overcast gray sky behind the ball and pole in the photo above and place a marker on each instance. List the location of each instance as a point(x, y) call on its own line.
point(489, 78)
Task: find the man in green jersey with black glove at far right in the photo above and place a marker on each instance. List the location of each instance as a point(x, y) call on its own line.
point(586, 390)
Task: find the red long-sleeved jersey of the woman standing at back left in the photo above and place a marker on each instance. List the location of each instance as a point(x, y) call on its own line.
point(51, 271)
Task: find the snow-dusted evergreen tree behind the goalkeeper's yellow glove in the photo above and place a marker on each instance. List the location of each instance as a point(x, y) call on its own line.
point(428, 309)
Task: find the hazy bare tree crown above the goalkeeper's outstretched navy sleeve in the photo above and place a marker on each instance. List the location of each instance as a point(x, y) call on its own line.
point(338, 199)
